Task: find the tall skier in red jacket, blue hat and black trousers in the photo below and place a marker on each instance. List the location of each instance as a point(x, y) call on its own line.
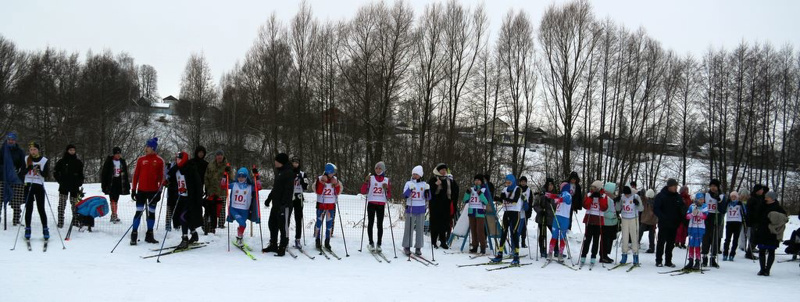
point(147, 179)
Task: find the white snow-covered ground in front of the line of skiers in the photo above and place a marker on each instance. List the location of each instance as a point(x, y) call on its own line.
point(86, 271)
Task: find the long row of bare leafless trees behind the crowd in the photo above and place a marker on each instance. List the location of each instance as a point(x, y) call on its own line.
point(438, 86)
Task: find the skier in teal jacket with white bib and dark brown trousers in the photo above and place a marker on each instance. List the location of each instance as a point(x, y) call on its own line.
point(476, 198)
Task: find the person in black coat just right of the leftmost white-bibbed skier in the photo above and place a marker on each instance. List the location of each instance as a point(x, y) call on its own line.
point(69, 175)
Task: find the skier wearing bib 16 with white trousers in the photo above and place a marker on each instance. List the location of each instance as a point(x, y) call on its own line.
point(629, 206)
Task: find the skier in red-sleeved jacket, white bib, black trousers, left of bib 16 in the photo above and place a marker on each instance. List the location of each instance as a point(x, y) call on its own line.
point(595, 203)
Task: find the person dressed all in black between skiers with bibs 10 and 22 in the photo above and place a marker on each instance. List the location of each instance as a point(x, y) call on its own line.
point(281, 198)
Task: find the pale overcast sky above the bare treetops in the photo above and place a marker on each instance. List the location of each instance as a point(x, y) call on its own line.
point(164, 33)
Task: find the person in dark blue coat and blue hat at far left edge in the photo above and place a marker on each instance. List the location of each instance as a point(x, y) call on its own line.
point(12, 168)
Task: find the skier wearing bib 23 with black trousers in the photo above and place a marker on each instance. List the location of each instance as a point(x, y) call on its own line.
point(378, 191)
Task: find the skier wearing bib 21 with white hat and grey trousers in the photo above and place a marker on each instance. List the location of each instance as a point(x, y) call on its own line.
point(417, 193)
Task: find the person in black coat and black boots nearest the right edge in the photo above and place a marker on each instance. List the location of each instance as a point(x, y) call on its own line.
point(767, 240)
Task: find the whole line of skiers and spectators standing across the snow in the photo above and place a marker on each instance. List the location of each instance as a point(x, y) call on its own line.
point(202, 195)
